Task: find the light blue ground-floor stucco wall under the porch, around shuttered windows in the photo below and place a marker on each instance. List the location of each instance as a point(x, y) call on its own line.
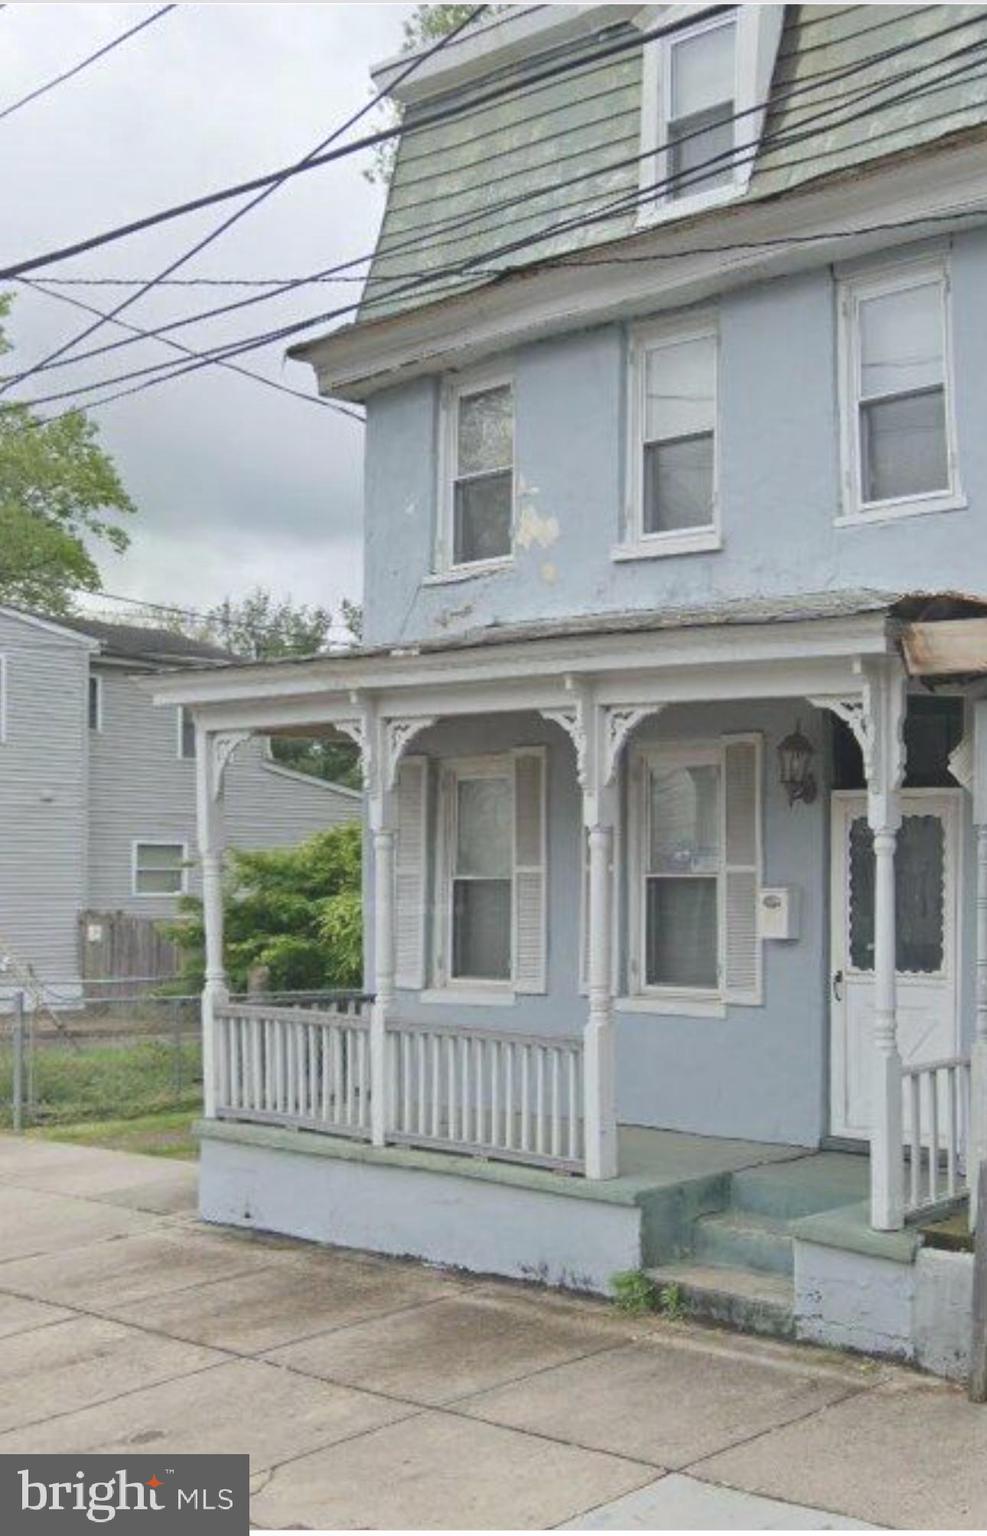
point(759, 1073)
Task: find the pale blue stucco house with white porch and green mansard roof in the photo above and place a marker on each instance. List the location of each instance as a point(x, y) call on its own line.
point(673, 698)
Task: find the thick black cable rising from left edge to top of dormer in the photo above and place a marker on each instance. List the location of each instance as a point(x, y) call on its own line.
point(355, 147)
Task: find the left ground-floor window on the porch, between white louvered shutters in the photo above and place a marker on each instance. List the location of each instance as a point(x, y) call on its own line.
point(483, 878)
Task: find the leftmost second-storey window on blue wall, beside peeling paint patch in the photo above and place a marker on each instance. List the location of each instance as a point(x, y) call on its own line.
point(483, 469)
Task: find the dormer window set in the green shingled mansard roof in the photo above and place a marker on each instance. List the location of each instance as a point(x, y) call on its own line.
point(699, 91)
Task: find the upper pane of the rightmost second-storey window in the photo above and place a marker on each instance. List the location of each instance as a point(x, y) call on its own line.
point(902, 342)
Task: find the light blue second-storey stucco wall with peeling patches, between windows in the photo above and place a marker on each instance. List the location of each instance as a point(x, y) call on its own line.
point(779, 475)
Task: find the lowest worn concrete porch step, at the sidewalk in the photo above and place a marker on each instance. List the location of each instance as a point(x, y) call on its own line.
point(756, 1303)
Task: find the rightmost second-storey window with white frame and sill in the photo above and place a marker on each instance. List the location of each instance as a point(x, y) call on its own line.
point(900, 429)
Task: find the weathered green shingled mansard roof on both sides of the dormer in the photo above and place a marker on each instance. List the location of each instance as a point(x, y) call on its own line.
point(555, 151)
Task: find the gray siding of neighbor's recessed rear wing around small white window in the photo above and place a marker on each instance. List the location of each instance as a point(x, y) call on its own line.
point(145, 792)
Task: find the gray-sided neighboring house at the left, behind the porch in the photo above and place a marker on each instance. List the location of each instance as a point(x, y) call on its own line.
point(97, 799)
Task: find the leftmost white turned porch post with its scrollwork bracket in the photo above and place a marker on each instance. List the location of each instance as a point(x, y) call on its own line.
point(214, 752)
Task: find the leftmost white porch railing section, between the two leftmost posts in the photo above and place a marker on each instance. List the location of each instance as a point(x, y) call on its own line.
point(299, 1067)
